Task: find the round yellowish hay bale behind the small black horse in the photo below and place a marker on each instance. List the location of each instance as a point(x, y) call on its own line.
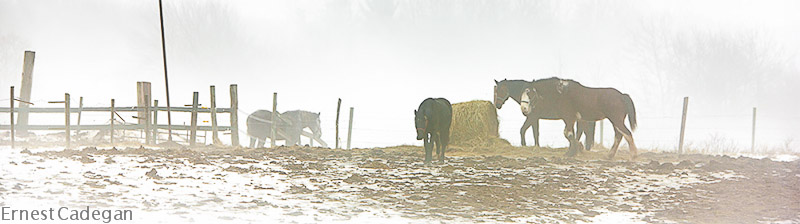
point(474, 124)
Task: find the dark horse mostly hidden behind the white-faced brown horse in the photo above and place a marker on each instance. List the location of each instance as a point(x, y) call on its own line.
point(545, 110)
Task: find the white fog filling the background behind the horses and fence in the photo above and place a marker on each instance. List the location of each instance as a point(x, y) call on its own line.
point(385, 57)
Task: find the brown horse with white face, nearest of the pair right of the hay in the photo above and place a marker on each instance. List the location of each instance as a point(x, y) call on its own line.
point(578, 102)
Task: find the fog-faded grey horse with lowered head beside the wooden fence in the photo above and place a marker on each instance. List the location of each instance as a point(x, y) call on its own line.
point(290, 125)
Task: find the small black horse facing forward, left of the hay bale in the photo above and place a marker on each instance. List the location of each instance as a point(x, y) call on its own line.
point(432, 120)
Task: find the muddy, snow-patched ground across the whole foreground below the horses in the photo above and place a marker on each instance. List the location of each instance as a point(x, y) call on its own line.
point(504, 184)
